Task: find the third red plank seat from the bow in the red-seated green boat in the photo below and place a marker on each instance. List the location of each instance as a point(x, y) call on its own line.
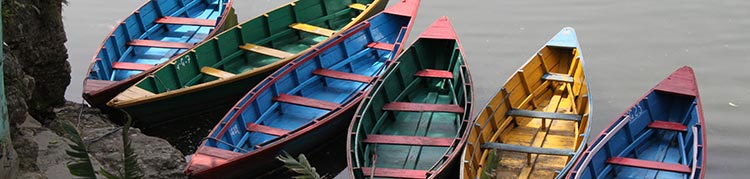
point(408, 140)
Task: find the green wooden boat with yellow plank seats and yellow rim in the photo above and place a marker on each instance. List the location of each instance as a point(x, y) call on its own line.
point(215, 74)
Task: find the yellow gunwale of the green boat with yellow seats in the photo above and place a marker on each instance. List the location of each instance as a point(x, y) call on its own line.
point(265, 68)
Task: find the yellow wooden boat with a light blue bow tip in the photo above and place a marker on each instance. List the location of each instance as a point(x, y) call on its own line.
point(538, 122)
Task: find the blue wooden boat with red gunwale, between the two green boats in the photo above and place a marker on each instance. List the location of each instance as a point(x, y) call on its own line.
point(305, 102)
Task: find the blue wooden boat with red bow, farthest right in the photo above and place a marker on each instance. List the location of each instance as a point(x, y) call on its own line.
point(661, 136)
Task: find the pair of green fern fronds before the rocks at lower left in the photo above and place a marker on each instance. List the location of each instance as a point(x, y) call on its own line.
point(81, 165)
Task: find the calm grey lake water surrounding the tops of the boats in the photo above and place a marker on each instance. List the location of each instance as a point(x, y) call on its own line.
point(629, 46)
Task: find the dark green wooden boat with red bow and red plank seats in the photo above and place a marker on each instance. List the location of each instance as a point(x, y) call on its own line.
point(413, 123)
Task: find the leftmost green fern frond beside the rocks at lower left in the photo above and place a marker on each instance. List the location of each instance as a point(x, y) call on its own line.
point(80, 165)
